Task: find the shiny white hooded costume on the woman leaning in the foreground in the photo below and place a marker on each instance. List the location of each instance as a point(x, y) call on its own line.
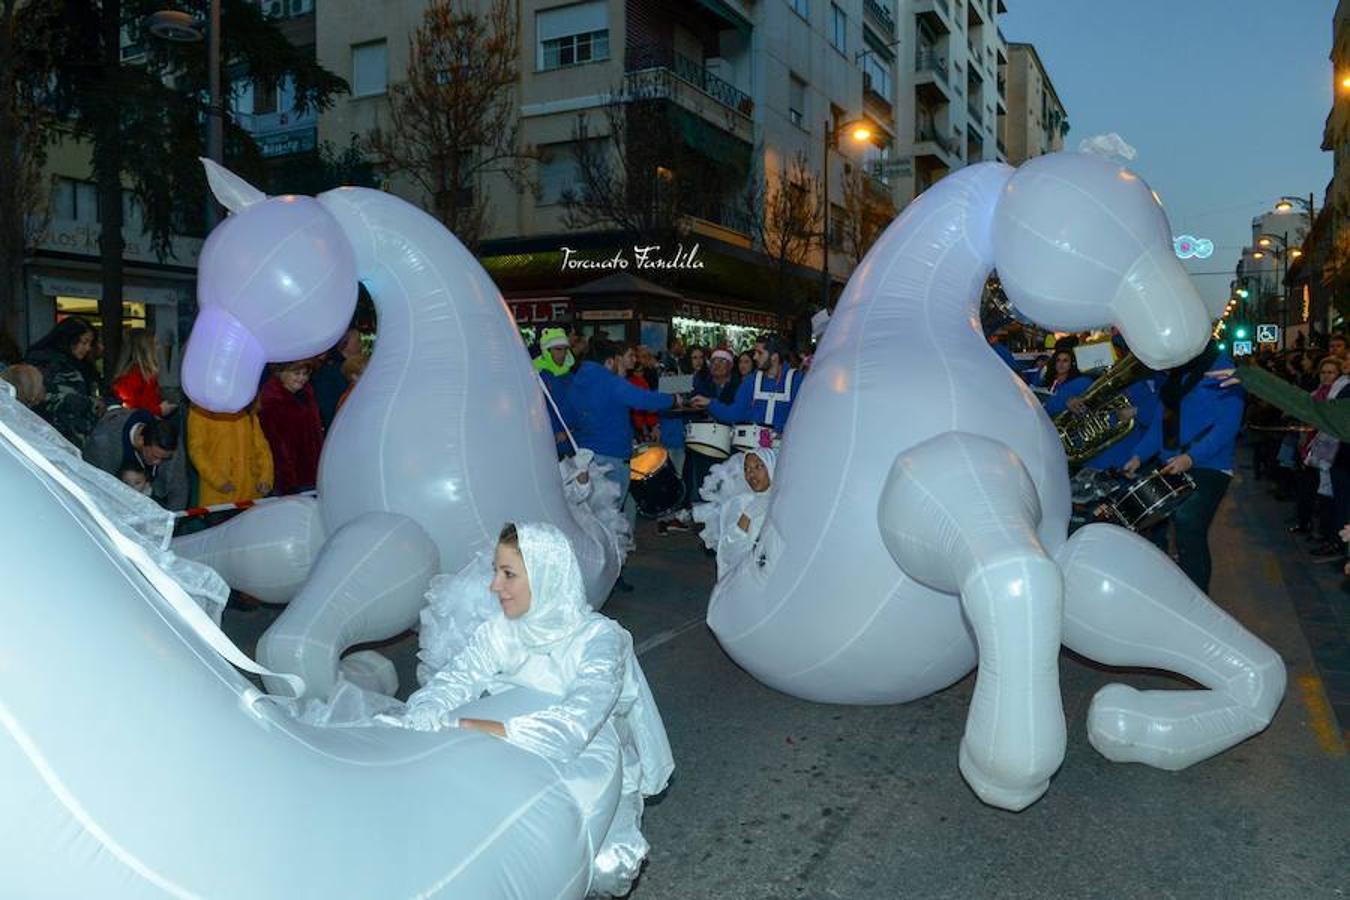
point(605, 713)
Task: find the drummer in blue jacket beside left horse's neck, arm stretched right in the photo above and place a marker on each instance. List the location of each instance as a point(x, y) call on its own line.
point(601, 400)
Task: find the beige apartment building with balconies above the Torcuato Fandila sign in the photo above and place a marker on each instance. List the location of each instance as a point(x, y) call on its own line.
point(745, 87)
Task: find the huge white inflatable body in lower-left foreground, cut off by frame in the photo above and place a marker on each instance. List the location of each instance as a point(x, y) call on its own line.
point(146, 767)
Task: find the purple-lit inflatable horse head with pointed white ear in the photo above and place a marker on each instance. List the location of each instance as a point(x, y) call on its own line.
point(276, 281)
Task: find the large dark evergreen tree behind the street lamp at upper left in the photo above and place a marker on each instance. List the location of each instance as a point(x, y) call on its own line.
point(146, 121)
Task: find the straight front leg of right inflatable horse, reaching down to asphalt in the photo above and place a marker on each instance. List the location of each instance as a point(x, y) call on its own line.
point(961, 515)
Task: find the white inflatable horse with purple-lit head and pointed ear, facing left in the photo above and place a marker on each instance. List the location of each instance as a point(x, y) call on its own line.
point(443, 441)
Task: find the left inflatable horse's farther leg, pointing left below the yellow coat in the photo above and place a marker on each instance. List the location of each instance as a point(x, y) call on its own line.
point(265, 551)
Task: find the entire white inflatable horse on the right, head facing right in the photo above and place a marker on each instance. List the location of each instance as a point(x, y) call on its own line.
point(908, 404)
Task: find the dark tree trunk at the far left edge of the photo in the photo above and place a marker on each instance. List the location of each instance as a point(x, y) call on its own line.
point(26, 65)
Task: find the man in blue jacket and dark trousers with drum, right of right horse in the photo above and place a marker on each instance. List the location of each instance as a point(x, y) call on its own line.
point(1195, 434)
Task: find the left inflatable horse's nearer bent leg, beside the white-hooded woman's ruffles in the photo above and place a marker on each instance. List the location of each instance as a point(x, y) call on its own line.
point(368, 585)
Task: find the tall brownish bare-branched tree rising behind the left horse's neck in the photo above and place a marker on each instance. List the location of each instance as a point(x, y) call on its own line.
point(453, 121)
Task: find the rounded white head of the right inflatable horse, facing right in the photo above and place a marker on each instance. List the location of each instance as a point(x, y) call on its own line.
point(1082, 242)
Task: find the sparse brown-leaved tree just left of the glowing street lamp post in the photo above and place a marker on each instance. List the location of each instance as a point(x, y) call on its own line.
point(786, 214)
